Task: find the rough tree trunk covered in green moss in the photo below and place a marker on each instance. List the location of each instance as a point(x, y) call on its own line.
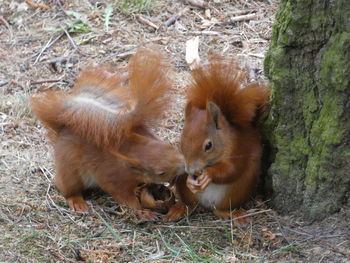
point(308, 129)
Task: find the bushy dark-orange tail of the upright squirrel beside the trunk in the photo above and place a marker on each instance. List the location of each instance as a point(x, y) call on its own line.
point(223, 82)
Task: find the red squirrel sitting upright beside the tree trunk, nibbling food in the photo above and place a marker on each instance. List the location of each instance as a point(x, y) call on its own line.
point(220, 140)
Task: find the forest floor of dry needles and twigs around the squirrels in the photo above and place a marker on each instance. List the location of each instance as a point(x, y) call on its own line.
point(45, 49)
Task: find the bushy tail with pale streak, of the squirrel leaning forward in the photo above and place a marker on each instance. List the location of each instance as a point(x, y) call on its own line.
point(103, 106)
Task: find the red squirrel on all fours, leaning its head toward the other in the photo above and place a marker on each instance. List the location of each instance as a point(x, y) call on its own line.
point(101, 132)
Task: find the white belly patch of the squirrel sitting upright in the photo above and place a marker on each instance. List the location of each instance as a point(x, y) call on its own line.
point(212, 195)
